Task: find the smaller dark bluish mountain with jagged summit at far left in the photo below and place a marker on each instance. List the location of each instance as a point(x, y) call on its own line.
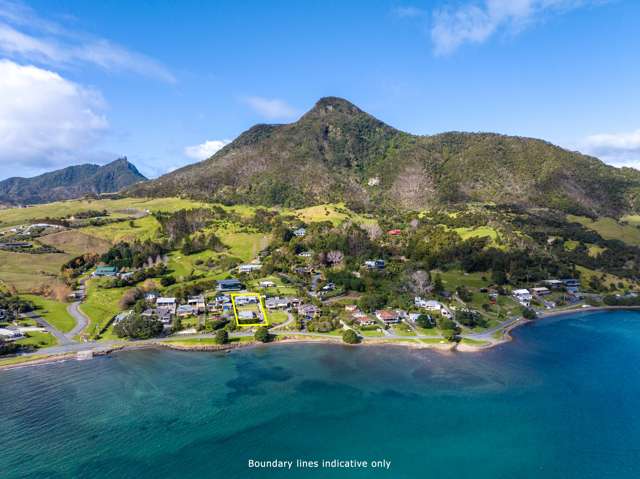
point(71, 182)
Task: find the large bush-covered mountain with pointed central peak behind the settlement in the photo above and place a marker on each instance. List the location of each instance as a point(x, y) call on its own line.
point(337, 152)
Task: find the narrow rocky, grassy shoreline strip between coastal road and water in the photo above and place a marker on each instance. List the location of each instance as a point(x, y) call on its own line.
point(411, 343)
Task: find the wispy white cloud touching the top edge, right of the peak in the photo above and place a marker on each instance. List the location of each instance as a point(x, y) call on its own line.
point(475, 22)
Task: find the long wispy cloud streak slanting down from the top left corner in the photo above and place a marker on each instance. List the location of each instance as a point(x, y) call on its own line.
point(24, 36)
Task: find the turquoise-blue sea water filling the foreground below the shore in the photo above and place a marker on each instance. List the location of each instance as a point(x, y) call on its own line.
point(561, 401)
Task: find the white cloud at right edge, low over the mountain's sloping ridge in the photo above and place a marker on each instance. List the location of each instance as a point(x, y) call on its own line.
point(619, 149)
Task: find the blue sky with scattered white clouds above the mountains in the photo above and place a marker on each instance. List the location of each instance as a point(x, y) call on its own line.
point(169, 83)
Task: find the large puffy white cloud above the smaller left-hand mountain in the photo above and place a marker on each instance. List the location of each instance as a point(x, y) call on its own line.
point(45, 120)
